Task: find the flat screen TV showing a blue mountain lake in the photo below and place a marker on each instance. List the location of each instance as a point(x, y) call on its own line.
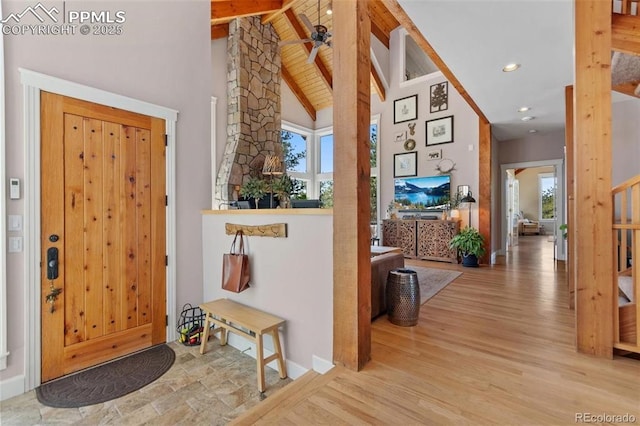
point(423, 193)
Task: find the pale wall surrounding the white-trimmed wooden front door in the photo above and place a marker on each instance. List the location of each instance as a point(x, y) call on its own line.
point(162, 57)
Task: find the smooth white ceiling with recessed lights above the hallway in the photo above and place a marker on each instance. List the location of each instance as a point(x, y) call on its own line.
point(476, 38)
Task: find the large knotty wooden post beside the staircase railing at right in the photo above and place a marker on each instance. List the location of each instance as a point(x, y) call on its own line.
point(592, 161)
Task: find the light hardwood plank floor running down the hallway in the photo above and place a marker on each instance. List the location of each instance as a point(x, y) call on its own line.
point(494, 347)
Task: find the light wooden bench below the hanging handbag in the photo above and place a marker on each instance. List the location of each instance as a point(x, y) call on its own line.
point(230, 316)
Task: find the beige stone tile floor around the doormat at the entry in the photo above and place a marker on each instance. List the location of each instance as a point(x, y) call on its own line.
point(210, 389)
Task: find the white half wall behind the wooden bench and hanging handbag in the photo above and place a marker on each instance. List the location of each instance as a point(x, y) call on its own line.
point(290, 277)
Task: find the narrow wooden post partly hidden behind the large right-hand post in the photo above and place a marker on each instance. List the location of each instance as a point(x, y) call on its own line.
point(571, 206)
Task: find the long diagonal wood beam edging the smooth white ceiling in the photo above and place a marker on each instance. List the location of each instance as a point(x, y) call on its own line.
point(402, 17)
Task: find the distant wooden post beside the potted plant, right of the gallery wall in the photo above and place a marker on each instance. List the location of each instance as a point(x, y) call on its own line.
point(484, 191)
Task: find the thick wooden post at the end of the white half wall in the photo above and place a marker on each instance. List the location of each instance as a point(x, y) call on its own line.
point(351, 205)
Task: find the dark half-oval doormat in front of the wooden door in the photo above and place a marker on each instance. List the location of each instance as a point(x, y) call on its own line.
point(107, 381)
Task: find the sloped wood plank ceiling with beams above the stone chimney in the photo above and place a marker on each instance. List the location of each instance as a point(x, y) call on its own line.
point(312, 83)
